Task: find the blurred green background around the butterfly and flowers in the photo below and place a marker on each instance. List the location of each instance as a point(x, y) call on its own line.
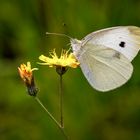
point(88, 114)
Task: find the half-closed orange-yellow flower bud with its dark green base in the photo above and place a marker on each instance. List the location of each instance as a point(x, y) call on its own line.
point(25, 72)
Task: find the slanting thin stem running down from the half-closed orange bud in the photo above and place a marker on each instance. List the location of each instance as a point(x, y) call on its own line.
point(51, 116)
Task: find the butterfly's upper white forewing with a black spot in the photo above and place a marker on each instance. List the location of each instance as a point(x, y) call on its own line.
point(124, 39)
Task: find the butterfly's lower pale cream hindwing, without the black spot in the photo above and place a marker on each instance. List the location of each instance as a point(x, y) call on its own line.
point(105, 68)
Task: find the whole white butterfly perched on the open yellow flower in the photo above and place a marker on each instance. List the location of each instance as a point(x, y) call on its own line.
point(105, 56)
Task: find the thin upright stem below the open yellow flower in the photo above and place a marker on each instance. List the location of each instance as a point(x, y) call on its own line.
point(61, 103)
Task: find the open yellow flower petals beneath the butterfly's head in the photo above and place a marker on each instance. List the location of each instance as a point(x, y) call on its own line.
point(65, 60)
